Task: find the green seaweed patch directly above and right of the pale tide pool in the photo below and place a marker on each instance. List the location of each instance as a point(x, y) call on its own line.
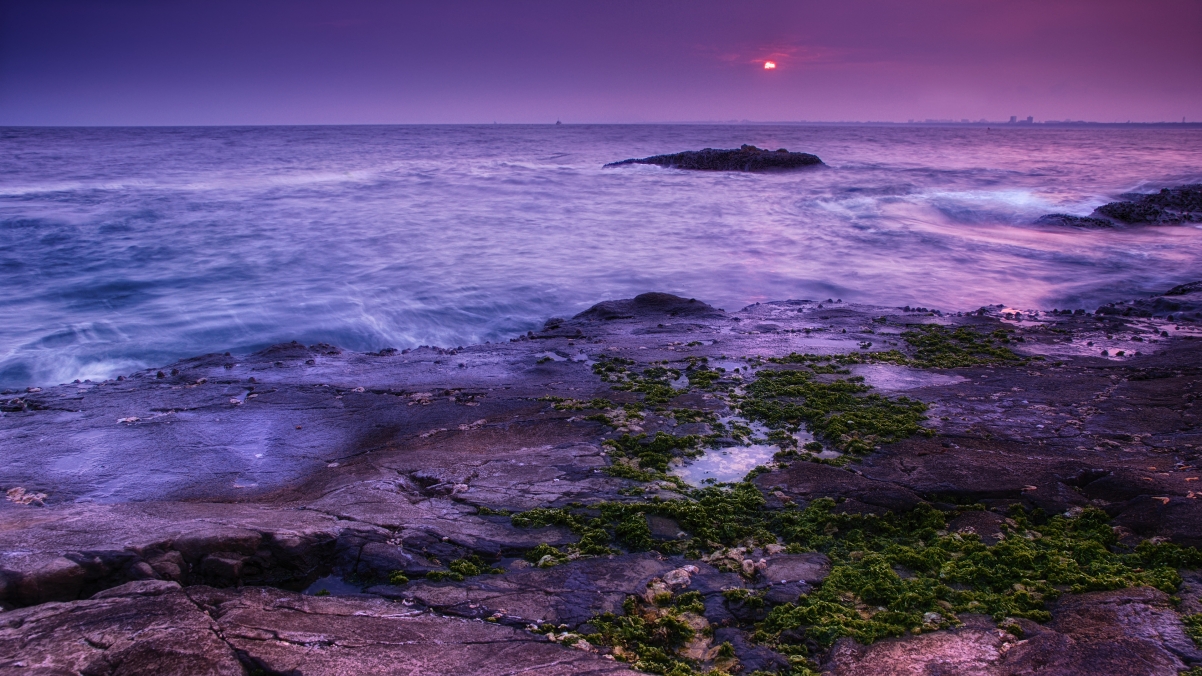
point(846, 413)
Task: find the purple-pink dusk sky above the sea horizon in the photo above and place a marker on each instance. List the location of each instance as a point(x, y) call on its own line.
point(296, 62)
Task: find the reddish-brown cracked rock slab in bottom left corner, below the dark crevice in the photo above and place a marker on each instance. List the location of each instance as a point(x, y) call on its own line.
point(210, 632)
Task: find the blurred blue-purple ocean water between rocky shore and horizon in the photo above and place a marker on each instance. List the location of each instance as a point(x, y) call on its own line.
point(129, 248)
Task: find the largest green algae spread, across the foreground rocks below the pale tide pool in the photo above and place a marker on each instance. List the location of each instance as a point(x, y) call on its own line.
point(891, 574)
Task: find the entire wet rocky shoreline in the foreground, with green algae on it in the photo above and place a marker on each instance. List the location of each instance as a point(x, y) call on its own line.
point(977, 493)
